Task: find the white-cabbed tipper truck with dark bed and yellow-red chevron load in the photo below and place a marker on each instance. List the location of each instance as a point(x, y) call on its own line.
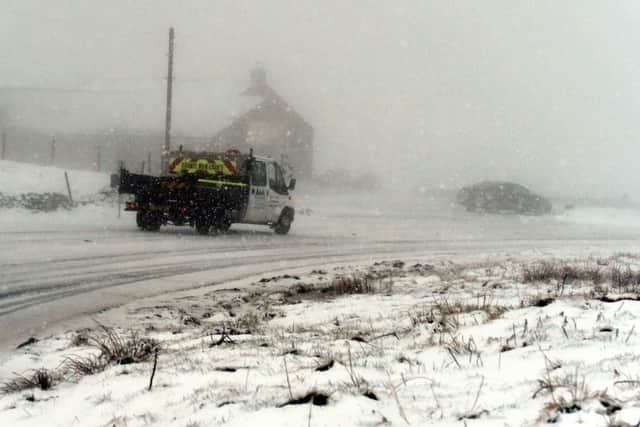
point(211, 191)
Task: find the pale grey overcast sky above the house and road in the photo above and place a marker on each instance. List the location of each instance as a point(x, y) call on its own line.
point(431, 92)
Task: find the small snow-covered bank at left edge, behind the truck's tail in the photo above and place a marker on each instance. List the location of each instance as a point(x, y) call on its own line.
point(19, 178)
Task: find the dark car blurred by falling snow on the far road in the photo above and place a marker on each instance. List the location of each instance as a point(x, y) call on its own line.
point(502, 197)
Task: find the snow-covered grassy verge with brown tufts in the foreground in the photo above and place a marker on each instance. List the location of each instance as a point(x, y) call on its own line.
point(494, 342)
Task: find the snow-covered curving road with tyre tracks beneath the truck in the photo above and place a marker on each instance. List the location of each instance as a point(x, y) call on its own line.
point(60, 266)
